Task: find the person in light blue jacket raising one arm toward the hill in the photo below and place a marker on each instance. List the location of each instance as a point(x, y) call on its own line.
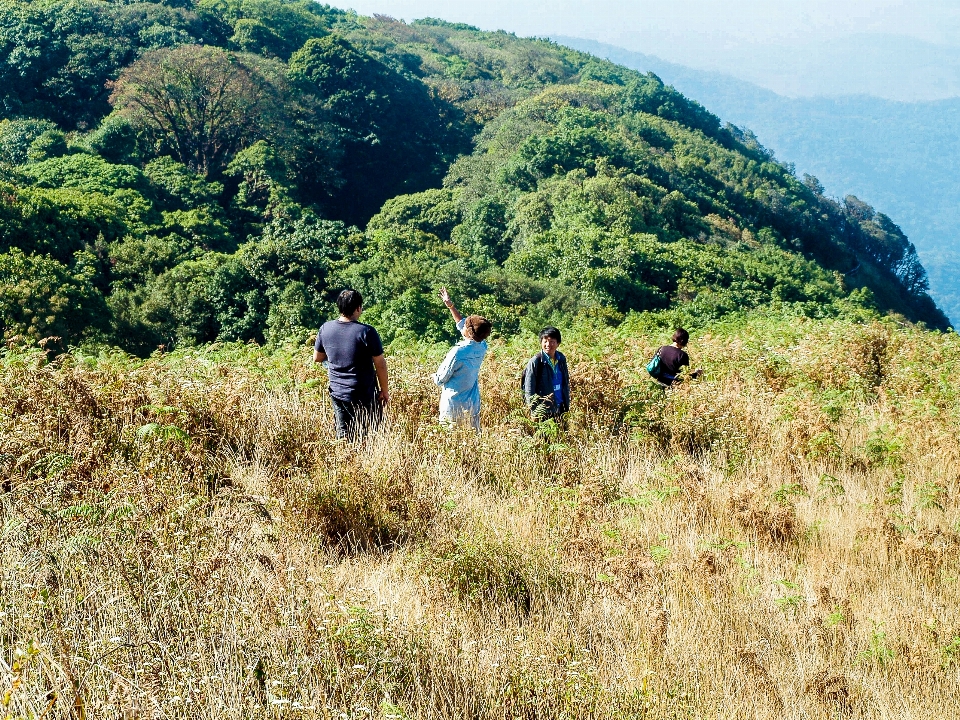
point(459, 373)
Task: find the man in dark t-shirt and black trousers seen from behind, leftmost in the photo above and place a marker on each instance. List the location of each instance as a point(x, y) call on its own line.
point(357, 369)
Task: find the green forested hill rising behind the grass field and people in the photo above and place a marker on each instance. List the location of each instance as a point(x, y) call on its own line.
point(183, 172)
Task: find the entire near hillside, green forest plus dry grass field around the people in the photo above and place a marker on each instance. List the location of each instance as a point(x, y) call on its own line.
point(184, 185)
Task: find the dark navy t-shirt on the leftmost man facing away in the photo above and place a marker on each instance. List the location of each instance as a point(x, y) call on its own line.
point(350, 349)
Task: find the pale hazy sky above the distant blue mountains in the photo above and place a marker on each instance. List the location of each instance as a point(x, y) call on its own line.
point(897, 49)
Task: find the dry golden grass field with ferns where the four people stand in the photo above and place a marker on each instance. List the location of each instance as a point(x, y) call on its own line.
point(182, 538)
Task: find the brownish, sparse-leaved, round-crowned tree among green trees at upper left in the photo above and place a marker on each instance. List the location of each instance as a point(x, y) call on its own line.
point(202, 105)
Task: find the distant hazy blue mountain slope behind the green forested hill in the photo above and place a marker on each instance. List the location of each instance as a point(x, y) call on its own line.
point(902, 158)
